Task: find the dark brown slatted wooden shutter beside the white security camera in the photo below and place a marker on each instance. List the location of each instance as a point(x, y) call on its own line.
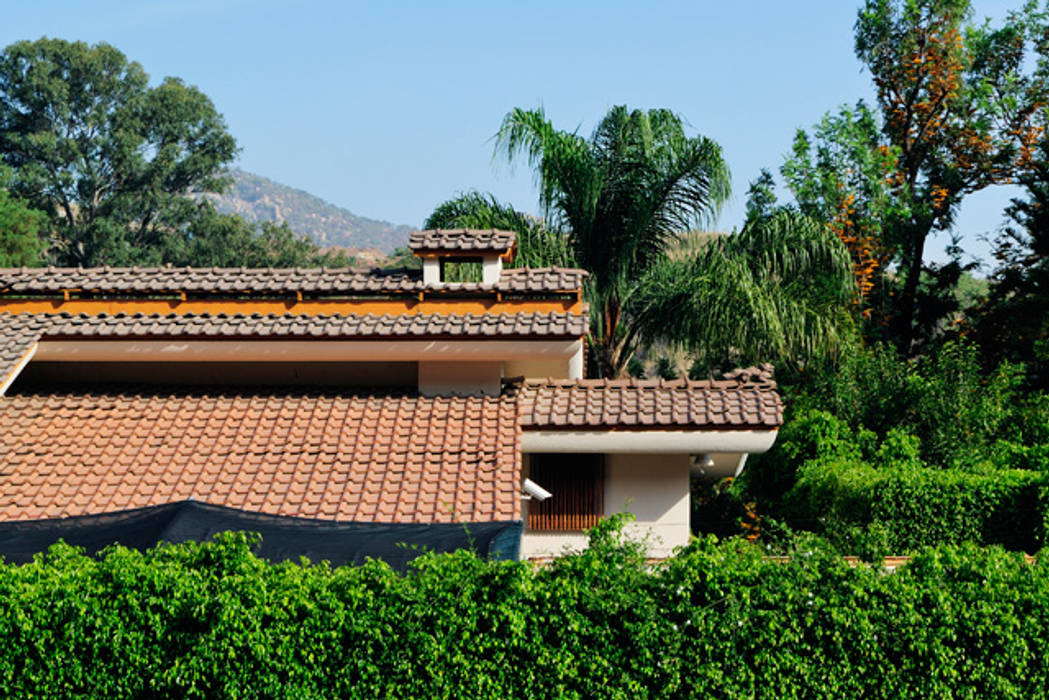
point(577, 482)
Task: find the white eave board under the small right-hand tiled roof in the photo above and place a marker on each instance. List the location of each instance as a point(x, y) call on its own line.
point(611, 442)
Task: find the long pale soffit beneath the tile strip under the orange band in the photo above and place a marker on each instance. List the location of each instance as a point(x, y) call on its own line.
point(297, 351)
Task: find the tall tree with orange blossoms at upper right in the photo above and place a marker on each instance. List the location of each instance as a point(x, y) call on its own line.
point(961, 107)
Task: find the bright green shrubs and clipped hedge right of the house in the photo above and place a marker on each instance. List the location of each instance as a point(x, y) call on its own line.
point(900, 455)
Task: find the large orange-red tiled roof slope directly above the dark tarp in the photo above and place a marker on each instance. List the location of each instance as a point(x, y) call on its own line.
point(377, 457)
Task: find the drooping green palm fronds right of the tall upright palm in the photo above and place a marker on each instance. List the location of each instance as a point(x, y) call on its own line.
point(778, 291)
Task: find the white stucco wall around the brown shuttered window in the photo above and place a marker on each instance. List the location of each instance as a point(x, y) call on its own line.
point(654, 487)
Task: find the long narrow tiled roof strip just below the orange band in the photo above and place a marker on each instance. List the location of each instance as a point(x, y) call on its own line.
point(19, 332)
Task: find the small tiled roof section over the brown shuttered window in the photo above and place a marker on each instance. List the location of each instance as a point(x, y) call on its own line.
point(745, 399)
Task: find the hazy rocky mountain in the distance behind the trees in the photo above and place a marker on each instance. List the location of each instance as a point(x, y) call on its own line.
point(259, 199)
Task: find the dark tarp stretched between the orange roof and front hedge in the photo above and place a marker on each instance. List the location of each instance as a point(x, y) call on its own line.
point(283, 538)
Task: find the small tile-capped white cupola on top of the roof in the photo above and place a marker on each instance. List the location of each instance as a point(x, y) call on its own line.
point(438, 247)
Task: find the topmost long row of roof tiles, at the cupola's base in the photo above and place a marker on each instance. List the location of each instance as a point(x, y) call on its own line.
point(318, 282)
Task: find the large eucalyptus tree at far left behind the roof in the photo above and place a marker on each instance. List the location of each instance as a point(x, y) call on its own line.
point(112, 160)
